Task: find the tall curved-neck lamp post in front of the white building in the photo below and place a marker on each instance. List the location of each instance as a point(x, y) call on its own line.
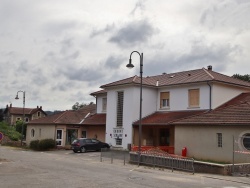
point(130, 65)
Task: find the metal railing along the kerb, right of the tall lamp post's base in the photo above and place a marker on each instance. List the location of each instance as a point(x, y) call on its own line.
point(156, 157)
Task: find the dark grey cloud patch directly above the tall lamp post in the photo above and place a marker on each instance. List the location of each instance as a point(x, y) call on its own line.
point(133, 33)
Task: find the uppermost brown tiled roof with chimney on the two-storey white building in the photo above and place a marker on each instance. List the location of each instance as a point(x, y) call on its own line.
point(185, 77)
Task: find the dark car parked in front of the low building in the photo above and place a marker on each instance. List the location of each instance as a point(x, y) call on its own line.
point(86, 144)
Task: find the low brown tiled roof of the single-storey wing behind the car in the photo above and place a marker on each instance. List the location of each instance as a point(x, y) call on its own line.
point(67, 117)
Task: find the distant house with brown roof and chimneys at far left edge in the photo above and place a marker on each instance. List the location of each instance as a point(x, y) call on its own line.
point(14, 114)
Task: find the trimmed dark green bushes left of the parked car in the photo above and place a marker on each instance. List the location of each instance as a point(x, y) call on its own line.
point(42, 145)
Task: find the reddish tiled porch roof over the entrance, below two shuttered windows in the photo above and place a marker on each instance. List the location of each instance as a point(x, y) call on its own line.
point(163, 118)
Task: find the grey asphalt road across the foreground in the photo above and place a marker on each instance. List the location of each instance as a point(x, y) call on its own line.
point(64, 169)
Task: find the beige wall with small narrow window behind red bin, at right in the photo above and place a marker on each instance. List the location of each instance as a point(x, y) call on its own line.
point(201, 142)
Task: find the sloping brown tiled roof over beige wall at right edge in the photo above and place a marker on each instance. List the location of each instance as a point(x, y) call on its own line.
point(233, 112)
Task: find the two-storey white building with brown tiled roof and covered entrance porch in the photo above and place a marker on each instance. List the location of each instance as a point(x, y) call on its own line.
point(166, 99)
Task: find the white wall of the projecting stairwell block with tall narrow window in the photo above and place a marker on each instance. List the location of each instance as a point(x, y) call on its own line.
point(131, 110)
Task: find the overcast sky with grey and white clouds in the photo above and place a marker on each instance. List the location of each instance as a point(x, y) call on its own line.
point(59, 51)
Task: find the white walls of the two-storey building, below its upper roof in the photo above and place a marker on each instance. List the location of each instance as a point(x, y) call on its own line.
point(211, 95)
